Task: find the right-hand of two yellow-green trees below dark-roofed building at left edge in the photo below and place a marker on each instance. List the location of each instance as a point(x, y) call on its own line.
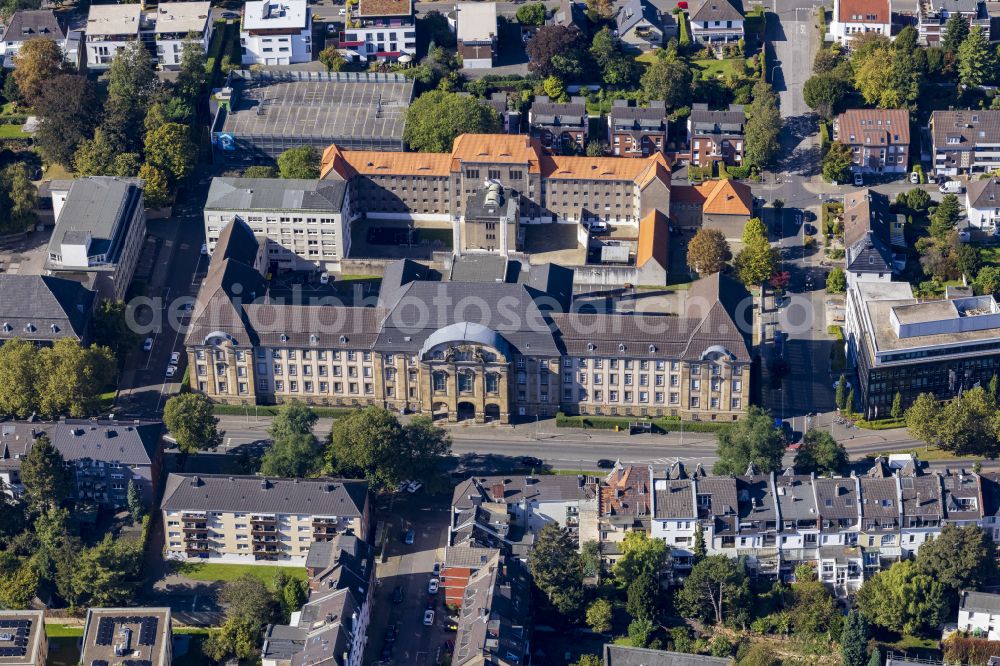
point(71, 378)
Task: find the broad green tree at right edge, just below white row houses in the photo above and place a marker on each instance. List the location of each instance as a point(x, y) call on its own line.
point(960, 558)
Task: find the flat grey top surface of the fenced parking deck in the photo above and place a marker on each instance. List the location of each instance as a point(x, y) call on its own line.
point(317, 104)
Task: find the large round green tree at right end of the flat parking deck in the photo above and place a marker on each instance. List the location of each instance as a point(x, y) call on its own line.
point(437, 117)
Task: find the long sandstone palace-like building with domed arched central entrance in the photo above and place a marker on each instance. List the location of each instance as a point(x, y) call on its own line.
point(483, 367)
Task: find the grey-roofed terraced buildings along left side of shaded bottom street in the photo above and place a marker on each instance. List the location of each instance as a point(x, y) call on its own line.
point(331, 627)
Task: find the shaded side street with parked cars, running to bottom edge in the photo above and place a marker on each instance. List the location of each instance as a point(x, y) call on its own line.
point(409, 567)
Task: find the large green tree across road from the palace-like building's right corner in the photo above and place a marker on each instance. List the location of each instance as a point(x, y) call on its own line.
point(752, 439)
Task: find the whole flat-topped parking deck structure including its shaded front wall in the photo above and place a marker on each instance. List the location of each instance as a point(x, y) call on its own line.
point(259, 115)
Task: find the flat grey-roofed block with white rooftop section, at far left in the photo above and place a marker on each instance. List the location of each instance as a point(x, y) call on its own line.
point(99, 233)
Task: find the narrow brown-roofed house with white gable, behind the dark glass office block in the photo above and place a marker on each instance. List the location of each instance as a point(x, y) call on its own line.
point(867, 228)
